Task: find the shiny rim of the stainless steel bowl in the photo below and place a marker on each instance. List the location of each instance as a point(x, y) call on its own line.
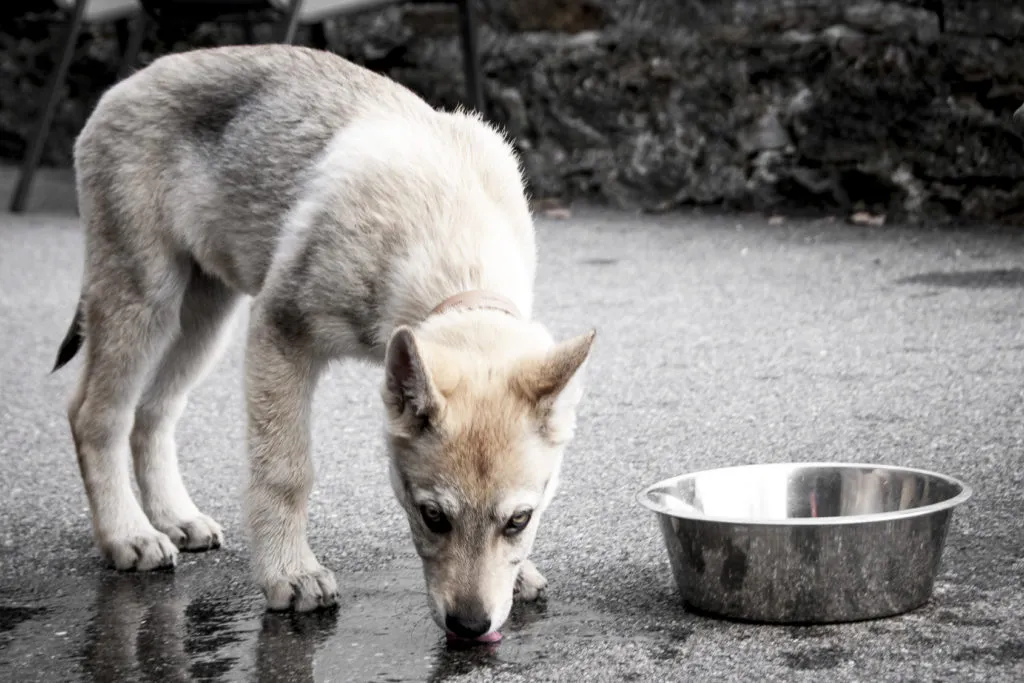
point(966, 492)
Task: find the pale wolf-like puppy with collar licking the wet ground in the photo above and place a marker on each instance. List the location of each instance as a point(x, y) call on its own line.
point(359, 223)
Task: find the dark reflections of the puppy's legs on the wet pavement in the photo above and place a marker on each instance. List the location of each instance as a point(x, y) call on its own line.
point(147, 628)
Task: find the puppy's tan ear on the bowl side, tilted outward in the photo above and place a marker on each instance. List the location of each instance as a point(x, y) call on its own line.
point(553, 385)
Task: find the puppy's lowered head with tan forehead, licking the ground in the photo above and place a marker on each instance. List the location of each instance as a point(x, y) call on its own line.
point(476, 444)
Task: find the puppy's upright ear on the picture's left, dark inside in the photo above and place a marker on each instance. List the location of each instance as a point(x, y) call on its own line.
point(409, 392)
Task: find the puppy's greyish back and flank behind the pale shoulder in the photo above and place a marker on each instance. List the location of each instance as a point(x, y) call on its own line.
point(218, 144)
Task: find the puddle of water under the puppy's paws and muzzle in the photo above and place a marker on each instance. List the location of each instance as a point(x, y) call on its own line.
point(167, 627)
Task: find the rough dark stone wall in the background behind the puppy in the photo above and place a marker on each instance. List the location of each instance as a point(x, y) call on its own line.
point(898, 110)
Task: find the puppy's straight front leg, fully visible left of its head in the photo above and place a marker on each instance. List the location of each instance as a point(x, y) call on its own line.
point(281, 377)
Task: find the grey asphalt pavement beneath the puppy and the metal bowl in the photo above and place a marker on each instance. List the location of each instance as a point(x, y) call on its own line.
point(722, 340)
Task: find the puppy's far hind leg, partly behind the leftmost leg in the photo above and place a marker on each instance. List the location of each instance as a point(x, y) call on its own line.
point(206, 307)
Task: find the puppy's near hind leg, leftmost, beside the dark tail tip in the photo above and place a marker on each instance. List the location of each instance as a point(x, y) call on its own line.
point(131, 304)
